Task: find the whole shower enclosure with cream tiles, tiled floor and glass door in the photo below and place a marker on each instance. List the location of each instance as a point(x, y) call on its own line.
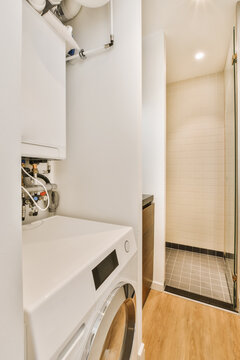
point(201, 226)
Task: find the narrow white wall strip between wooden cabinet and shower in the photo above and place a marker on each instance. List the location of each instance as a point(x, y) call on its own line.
point(154, 142)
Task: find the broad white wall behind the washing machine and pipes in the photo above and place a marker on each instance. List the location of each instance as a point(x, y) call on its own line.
point(101, 178)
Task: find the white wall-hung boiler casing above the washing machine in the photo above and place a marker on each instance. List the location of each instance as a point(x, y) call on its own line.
point(43, 88)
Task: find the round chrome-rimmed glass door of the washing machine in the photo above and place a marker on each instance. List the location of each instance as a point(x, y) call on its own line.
point(113, 332)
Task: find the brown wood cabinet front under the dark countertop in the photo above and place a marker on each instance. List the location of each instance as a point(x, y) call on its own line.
point(147, 250)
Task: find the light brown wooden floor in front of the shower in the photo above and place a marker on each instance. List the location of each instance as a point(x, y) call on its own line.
point(179, 329)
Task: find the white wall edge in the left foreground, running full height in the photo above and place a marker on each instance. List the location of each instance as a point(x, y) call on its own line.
point(11, 314)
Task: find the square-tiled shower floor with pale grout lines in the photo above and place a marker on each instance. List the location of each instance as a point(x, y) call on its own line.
point(197, 273)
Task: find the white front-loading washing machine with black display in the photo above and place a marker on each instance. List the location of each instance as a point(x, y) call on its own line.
point(79, 287)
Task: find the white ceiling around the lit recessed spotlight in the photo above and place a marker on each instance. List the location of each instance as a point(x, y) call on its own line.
point(191, 26)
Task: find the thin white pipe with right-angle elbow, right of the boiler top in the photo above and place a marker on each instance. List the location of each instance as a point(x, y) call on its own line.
point(83, 54)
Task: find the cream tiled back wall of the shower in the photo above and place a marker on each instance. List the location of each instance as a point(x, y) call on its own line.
point(195, 162)
